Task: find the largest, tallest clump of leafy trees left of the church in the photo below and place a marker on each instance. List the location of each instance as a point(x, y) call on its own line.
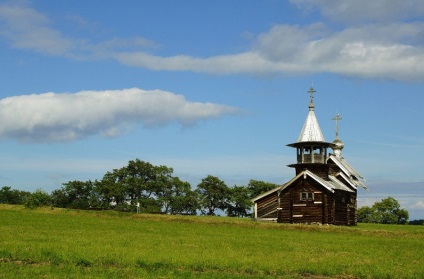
point(153, 187)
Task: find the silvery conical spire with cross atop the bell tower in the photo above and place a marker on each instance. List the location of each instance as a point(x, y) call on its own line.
point(311, 130)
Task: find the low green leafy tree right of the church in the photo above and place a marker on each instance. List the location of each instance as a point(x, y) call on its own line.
point(386, 211)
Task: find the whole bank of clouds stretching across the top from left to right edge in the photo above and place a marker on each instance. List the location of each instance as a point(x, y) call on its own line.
point(377, 39)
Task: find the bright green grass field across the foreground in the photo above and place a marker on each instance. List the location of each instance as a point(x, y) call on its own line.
point(59, 243)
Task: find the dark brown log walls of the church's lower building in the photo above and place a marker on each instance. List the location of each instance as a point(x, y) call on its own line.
point(336, 207)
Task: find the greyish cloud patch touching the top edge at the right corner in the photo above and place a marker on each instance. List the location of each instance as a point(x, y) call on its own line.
point(364, 10)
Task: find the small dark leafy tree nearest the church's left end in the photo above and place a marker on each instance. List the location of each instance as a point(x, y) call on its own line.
point(239, 202)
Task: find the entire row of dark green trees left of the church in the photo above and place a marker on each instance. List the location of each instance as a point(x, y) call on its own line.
point(154, 188)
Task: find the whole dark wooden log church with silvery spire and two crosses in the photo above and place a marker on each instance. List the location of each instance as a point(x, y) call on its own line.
point(324, 189)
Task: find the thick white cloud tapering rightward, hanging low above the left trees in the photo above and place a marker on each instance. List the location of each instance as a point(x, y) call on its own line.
point(62, 117)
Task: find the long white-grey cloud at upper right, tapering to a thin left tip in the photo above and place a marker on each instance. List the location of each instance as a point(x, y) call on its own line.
point(289, 49)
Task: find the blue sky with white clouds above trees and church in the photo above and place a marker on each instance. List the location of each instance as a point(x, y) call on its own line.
point(211, 88)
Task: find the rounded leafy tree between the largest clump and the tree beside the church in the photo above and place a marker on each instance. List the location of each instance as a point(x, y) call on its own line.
point(213, 194)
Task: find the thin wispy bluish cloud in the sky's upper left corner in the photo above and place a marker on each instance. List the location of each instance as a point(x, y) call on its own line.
point(26, 28)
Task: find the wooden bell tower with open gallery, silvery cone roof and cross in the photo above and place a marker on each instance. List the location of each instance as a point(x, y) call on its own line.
point(311, 147)
